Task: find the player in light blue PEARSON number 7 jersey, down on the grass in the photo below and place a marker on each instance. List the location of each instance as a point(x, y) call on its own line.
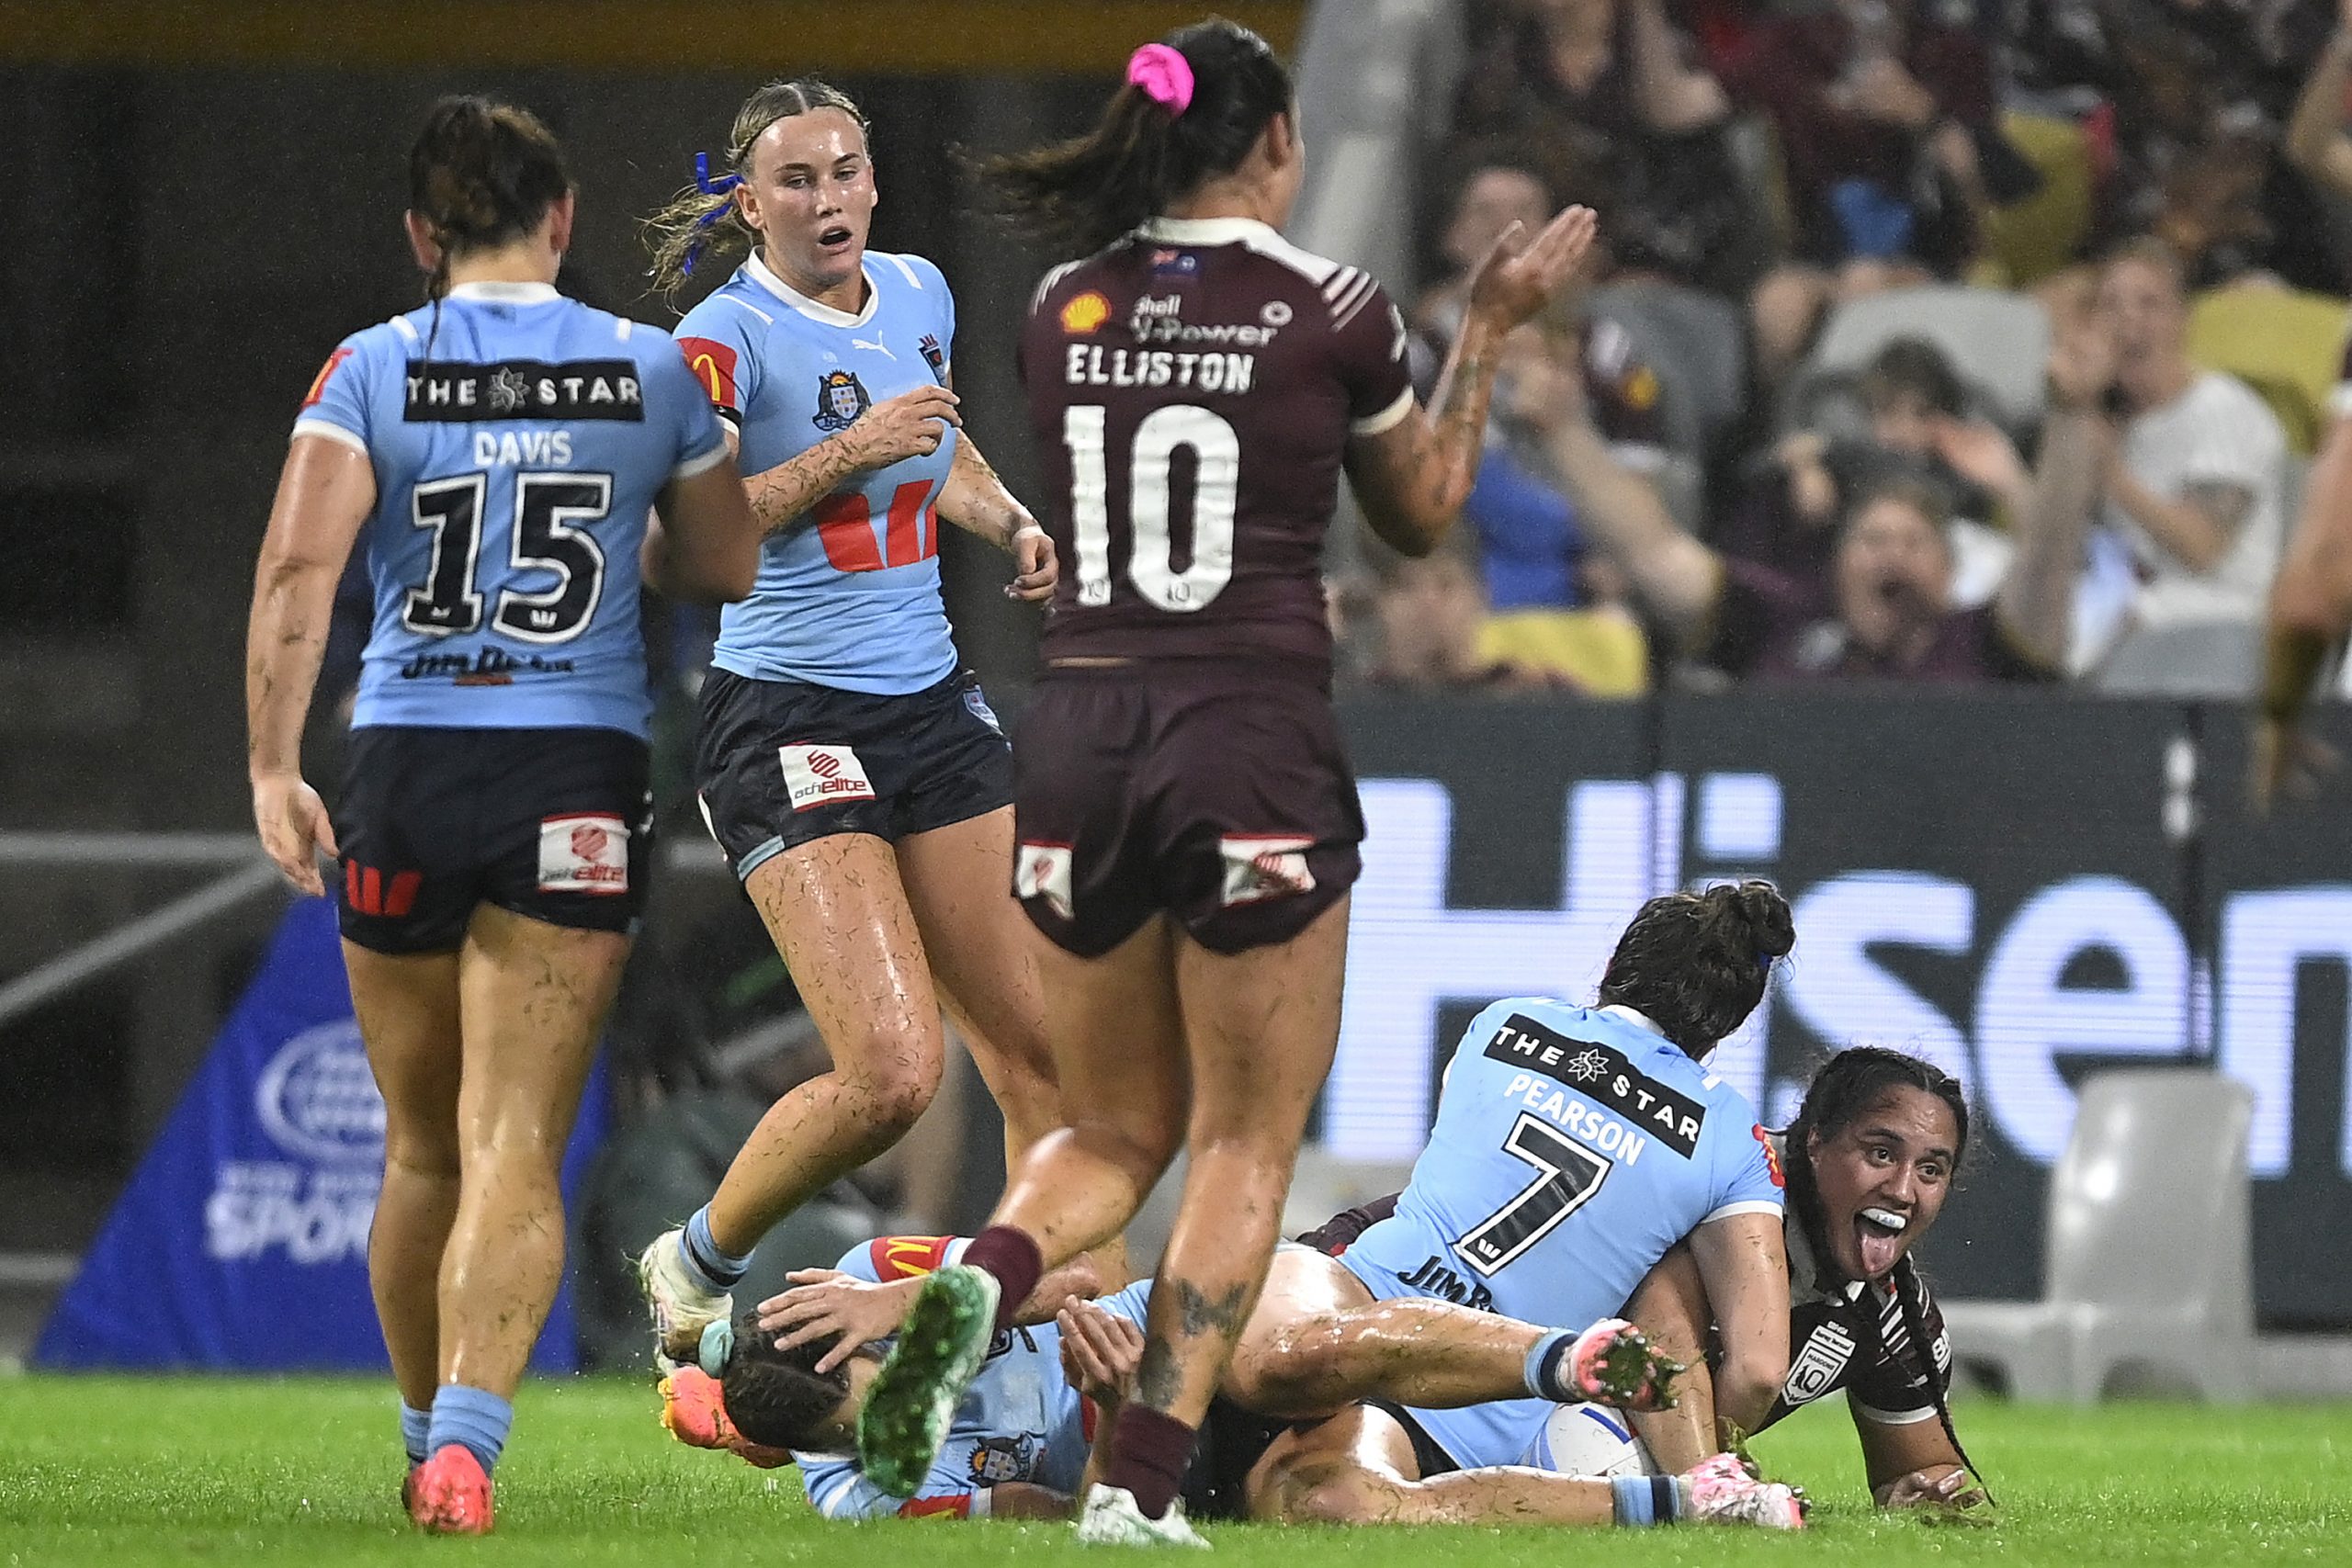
point(1572, 1151)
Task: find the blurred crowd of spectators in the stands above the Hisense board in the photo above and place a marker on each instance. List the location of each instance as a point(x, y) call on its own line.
point(1925, 340)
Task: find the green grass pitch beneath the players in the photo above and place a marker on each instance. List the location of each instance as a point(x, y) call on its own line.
point(119, 1470)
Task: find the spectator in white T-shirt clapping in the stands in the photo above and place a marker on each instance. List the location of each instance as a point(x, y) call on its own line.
point(2191, 462)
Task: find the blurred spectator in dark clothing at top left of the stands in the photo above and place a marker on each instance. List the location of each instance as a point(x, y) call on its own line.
point(1643, 128)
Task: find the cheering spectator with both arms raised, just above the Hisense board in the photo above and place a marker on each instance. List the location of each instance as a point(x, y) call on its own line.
point(1890, 610)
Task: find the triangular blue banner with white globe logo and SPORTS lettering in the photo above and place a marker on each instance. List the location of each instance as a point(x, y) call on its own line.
point(241, 1245)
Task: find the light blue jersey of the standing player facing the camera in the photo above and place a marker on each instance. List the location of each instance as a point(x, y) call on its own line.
point(850, 596)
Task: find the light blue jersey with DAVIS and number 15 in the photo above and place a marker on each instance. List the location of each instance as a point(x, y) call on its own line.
point(519, 445)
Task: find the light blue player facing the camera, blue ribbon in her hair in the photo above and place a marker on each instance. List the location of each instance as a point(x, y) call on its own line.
point(848, 765)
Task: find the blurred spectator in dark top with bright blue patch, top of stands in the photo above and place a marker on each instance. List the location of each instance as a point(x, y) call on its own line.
point(1885, 121)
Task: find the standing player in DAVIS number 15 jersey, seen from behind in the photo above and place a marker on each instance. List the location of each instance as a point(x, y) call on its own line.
point(500, 455)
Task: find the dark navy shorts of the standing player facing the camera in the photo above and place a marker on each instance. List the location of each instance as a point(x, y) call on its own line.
point(784, 763)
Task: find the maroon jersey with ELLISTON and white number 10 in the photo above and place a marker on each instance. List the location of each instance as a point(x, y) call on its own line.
point(1194, 391)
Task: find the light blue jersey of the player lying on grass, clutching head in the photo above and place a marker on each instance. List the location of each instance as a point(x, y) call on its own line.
point(1022, 1421)
